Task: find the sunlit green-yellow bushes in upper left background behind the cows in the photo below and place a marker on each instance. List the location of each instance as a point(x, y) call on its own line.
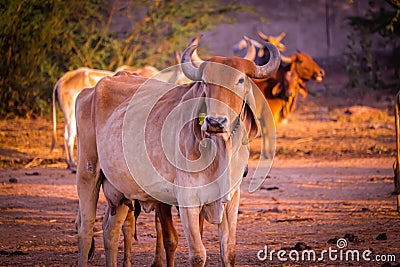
point(42, 39)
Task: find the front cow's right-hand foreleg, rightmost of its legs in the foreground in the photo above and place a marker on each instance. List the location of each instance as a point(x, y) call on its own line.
point(227, 231)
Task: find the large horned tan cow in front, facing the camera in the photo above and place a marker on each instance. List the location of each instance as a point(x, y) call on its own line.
point(106, 120)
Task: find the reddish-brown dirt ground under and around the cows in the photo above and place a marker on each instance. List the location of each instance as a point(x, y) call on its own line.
point(331, 178)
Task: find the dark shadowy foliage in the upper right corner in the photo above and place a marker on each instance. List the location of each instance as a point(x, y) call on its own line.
point(362, 66)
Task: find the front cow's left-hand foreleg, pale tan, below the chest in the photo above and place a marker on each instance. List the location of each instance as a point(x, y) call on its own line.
point(190, 224)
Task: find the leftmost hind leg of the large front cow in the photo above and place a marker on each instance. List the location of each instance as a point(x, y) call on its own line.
point(88, 187)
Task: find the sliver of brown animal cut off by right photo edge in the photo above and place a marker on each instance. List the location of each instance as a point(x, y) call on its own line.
point(396, 168)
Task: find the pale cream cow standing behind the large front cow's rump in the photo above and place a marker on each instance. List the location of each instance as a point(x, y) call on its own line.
point(73, 82)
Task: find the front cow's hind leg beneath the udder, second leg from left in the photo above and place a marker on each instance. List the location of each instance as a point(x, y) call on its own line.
point(111, 232)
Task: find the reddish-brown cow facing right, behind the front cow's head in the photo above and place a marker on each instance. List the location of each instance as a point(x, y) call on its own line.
point(281, 90)
